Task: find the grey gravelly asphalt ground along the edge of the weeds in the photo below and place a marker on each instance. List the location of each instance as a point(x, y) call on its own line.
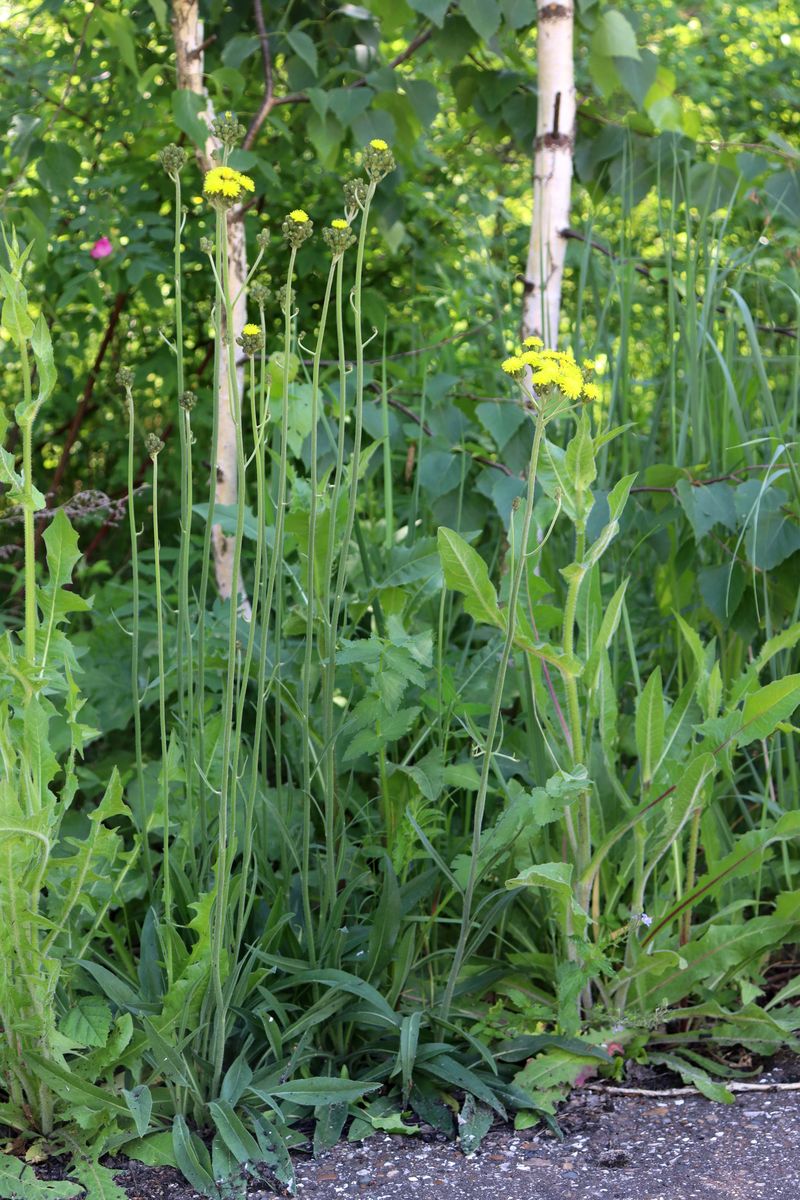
point(616, 1148)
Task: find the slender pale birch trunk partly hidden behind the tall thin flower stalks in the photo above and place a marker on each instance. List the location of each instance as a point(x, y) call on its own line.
point(188, 32)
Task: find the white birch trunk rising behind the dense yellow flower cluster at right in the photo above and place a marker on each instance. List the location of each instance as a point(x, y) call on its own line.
point(552, 173)
